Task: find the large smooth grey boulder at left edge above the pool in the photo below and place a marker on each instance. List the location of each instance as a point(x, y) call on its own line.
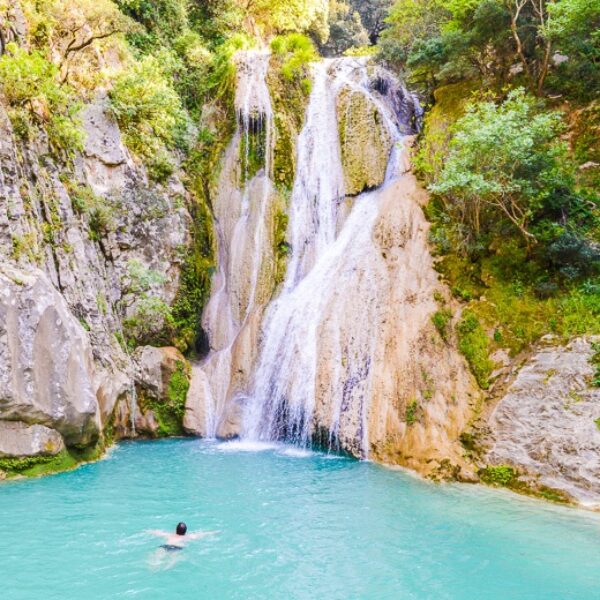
point(46, 363)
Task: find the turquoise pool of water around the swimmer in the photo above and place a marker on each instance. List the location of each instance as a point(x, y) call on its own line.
point(293, 524)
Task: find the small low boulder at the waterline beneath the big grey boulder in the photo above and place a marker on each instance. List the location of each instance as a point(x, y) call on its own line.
point(19, 439)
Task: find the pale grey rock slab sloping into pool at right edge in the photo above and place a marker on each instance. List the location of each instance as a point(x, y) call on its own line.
point(545, 424)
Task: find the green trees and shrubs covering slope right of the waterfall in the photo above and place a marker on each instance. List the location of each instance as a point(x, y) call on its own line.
point(515, 210)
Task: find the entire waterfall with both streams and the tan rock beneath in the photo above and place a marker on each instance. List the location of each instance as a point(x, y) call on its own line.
point(346, 355)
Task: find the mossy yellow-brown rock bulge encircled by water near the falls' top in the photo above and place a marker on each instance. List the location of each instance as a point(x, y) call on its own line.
point(364, 140)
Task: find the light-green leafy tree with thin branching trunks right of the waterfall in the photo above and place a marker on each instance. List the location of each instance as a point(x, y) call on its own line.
point(505, 162)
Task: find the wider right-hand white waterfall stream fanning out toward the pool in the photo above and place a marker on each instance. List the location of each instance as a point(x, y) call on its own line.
point(327, 302)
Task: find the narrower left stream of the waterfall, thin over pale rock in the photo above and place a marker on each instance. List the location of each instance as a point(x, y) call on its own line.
point(240, 230)
